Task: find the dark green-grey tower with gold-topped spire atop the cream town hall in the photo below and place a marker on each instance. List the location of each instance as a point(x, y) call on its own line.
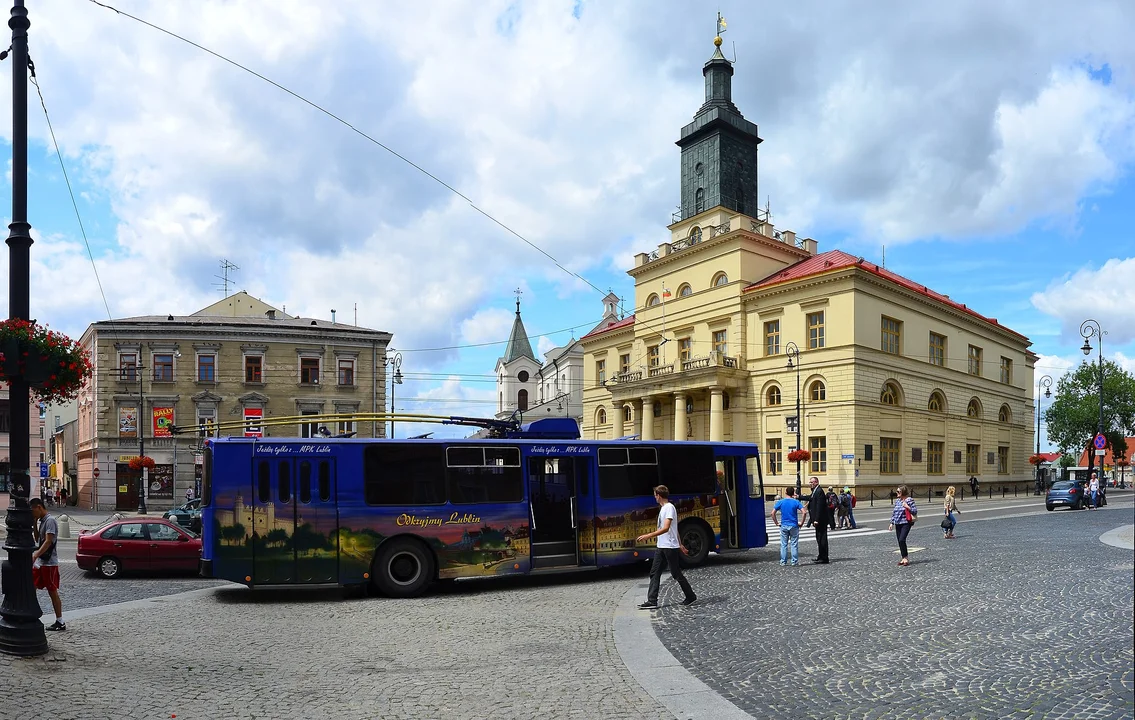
point(719, 147)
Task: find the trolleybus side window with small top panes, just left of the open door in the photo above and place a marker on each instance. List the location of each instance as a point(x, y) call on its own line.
point(484, 475)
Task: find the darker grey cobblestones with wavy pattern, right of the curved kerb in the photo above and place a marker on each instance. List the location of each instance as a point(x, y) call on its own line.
point(1028, 617)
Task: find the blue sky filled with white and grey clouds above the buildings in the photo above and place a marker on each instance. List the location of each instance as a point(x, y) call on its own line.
point(989, 147)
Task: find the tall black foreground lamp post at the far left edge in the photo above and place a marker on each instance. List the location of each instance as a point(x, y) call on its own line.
point(21, 630)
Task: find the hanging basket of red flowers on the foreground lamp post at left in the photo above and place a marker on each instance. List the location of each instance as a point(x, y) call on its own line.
point(51, 363)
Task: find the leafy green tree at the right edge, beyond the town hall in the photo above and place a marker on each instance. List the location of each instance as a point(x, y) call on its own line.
point(1075, 414)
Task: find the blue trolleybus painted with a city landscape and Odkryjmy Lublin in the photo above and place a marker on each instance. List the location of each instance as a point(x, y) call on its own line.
point(401, 514)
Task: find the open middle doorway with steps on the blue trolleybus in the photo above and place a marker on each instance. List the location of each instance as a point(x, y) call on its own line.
point(552, 491)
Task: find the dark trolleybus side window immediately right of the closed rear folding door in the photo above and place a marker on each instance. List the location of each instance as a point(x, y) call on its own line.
point(403, 474)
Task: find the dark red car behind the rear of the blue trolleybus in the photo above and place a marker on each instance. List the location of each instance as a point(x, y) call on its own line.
point(138, 545)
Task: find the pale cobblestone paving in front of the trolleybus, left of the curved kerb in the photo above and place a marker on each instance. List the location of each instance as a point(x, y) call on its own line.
point(531, 648)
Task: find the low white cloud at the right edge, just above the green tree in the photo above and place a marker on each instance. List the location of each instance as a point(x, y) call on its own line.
point(1106, 295)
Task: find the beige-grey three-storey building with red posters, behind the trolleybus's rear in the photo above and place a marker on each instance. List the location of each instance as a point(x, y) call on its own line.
point(239, 359)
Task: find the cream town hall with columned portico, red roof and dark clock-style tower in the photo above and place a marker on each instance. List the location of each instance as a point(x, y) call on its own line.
point(898, 384)
